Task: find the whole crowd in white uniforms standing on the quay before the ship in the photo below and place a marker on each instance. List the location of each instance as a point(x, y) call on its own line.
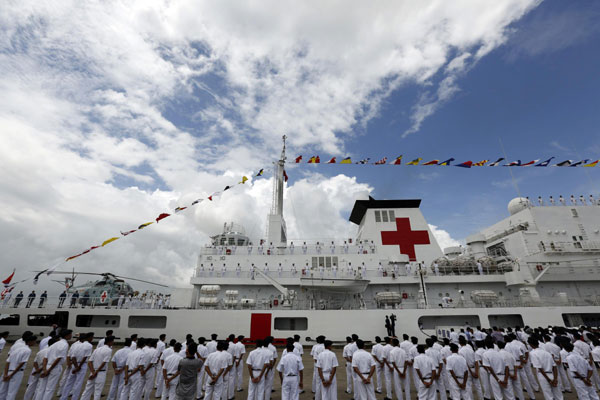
point(490, 364)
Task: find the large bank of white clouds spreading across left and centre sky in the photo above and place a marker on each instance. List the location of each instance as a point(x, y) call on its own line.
point(112, 112)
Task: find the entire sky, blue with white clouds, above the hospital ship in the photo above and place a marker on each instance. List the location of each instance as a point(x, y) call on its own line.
point(114, 113)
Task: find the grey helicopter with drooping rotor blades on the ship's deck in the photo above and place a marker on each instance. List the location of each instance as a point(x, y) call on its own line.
point(106, 290)
